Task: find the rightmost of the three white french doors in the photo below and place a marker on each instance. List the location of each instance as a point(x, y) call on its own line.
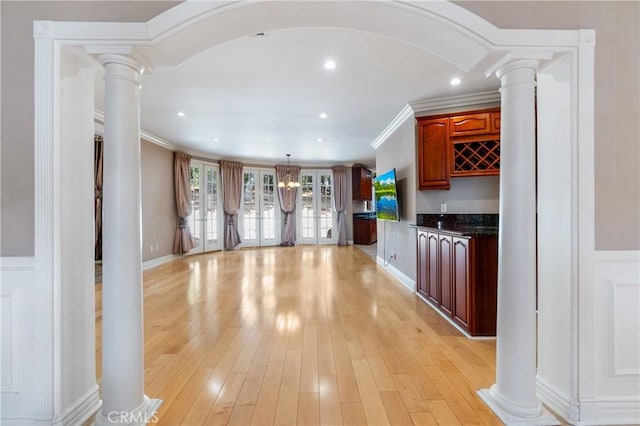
point(316, 217)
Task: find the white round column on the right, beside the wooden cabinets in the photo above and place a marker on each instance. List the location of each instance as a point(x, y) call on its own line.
point(513, 396)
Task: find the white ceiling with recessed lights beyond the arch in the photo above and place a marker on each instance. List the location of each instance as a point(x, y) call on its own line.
point(261, 96)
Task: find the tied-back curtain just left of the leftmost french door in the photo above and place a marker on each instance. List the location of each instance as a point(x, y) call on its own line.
point(183, 240)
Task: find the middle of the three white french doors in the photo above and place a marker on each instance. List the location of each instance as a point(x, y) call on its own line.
point(260, 212)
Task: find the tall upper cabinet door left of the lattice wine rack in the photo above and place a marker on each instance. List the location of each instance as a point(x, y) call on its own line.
point(433, 154)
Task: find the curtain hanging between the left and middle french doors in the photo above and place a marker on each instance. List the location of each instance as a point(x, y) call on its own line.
point(232, 196)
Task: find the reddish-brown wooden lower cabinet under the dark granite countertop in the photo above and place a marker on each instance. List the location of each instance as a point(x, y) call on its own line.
point(458, 276)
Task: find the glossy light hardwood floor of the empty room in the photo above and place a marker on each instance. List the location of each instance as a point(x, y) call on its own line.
point(303, 335)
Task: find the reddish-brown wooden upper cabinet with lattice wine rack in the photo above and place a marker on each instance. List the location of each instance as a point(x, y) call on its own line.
point(457, 145)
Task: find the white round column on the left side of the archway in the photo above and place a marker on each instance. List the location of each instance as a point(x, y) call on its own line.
point(123, 395)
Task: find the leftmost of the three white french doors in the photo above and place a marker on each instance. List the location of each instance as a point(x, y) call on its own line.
point(206, 218)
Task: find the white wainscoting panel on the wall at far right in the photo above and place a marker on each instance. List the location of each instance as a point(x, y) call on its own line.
point(616, 340)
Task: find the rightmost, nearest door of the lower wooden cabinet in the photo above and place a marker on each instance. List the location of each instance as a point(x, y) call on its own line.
point(461, 286)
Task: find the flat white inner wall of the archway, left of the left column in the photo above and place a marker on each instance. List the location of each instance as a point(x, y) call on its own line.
point(77, 371)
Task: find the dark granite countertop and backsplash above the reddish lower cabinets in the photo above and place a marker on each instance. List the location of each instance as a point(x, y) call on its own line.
point(469, 225)
